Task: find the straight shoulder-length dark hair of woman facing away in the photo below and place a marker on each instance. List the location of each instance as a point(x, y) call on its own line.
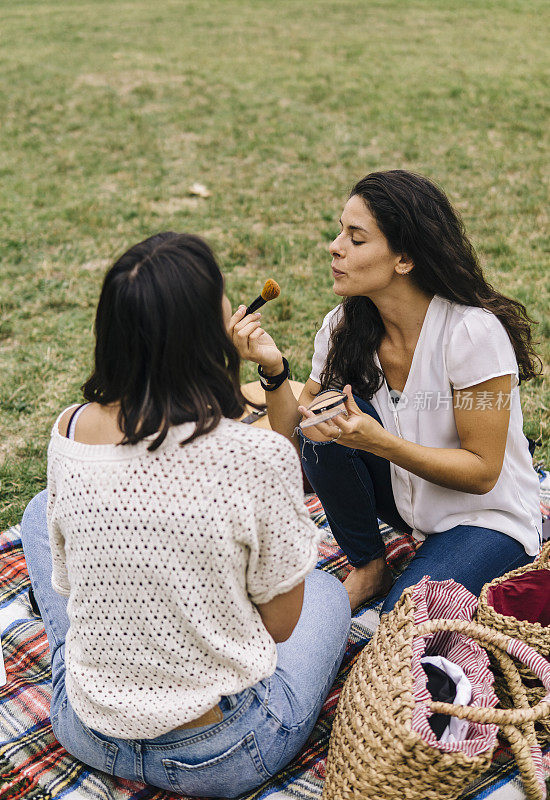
point(162, 350)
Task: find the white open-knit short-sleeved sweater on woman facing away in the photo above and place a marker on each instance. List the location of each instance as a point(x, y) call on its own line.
point(163, 556)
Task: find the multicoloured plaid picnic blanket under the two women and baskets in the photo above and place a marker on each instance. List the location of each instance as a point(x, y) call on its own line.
point(34, 766)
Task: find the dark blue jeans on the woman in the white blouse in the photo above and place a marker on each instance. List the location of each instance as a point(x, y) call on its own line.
point(355, 489)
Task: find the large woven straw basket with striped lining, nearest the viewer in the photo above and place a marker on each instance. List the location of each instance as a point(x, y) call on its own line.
point(374, 754)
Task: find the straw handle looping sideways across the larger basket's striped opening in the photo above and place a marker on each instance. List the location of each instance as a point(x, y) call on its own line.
point(527, 655)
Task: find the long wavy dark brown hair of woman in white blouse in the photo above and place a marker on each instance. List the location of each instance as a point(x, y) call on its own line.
point(418, 220)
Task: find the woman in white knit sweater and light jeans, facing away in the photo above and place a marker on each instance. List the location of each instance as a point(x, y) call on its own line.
point(172, 555)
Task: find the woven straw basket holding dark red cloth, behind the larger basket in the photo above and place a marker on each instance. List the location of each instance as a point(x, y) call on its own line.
point(532, 633)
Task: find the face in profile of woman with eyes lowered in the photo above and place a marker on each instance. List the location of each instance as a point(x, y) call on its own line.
point(362, 261)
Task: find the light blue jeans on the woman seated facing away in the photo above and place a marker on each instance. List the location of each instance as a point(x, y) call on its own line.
point(263, 727)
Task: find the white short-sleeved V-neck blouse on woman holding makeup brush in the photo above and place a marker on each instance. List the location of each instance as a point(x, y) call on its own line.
point(459, 346)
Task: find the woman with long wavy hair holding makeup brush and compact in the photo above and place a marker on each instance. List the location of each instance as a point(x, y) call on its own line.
point(429, 356)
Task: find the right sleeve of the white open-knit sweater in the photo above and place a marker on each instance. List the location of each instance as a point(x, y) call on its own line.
point(283, 542)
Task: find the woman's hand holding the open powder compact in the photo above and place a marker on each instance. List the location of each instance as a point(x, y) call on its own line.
point(357, 430)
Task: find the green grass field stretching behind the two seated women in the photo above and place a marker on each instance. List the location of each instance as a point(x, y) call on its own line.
point(111, 110)
